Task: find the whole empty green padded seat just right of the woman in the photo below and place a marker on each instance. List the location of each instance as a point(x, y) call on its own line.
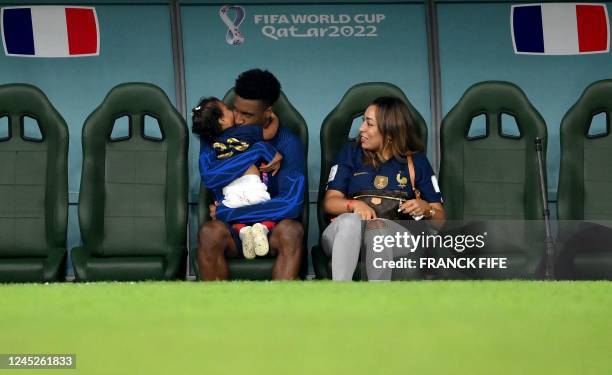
point(490, 180)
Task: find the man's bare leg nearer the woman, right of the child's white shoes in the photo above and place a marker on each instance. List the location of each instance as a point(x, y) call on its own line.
point(286, 241)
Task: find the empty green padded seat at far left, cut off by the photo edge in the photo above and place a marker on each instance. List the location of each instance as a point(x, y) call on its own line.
point(33, 188)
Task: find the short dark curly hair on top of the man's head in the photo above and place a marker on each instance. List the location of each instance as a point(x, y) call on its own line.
point(257, 84)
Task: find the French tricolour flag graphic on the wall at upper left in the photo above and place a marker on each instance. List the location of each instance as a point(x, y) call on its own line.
point(50, 31)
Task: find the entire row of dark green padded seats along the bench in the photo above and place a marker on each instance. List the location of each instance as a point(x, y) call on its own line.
point(133, 192)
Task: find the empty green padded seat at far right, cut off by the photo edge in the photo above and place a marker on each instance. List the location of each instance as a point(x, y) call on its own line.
point(585, 182)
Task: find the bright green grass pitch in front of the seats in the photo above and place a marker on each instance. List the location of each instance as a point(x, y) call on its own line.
point(313, 327)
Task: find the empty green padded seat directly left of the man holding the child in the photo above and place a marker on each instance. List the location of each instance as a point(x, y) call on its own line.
point(133, 196)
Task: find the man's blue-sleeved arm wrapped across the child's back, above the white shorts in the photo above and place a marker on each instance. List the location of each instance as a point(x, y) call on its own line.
point(217, 173)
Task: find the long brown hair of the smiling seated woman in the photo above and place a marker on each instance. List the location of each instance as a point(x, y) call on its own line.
point(397, 129)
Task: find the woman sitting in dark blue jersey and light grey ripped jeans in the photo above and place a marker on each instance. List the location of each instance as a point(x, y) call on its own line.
point(380, 164)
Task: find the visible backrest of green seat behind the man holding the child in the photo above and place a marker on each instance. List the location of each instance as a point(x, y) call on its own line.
point(289, 118)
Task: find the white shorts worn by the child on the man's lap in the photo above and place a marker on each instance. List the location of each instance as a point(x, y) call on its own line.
point(245, 191)
